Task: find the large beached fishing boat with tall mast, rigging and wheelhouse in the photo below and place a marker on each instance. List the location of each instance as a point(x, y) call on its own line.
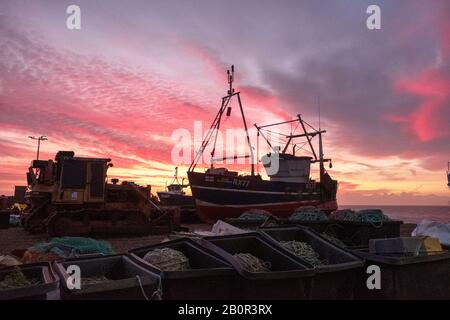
point(220, 193)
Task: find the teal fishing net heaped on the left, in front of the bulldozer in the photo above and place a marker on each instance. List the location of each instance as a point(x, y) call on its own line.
point(72, 246)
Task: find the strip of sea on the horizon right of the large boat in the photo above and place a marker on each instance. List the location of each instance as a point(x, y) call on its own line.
point(409, 214)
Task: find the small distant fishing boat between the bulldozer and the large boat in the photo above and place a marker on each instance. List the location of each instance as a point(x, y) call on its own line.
point(175, 195)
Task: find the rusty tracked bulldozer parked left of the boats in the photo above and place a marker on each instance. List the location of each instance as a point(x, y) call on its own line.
point(71, 196)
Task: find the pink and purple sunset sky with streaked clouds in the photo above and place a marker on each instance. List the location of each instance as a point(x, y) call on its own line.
point(138, 70)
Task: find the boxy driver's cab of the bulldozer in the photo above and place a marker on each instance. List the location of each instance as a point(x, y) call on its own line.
point(81, 180)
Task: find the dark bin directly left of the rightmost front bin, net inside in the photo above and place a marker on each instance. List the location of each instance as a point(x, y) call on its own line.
point(335, 280)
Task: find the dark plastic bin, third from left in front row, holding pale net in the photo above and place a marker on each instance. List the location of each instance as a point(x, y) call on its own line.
point(209, 277)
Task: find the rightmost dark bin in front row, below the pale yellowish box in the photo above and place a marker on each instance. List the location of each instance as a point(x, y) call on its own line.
point(407, 277)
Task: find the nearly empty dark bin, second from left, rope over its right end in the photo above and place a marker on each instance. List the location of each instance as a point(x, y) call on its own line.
point(126, 279)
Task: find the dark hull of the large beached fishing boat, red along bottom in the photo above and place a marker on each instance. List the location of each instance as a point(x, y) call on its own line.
point(223, 196)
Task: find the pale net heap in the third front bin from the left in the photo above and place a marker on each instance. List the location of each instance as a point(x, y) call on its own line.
point(168, 259)
